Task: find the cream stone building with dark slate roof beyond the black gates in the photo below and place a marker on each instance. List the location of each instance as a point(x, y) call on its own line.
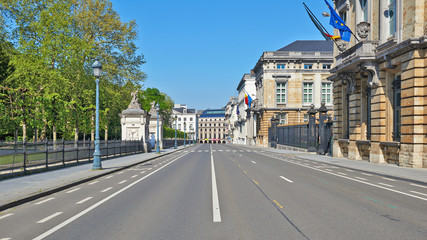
point(288, 81)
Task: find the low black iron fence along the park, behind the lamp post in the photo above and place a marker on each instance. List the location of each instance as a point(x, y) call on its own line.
point(21, 157)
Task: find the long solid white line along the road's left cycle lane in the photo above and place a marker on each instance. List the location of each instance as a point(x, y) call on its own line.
point(97, 204)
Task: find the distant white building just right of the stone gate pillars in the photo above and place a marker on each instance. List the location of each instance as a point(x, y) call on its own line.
point(186, 120)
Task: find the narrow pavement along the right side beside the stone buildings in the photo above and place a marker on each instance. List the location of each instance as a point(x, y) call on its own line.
point(391, 170)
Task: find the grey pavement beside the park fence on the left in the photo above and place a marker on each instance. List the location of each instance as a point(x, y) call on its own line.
point(18, 190)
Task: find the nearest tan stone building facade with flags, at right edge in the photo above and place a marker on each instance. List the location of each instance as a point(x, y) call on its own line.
point(380, 82)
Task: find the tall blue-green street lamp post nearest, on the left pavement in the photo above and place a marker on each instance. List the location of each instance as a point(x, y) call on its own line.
point(97, 70)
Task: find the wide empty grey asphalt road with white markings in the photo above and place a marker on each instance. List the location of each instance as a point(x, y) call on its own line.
point(251, 194)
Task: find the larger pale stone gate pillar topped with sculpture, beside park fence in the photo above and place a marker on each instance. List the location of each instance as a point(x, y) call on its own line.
point(134, 122)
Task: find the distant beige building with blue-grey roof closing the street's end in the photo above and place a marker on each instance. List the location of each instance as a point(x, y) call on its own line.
point(212, 126)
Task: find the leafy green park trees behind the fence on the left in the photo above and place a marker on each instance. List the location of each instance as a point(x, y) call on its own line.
point(47, 87)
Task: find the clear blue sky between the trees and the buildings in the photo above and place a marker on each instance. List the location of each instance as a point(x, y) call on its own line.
point(197, 51)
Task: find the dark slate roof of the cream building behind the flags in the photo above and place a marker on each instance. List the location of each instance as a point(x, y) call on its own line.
point(309, 46)
